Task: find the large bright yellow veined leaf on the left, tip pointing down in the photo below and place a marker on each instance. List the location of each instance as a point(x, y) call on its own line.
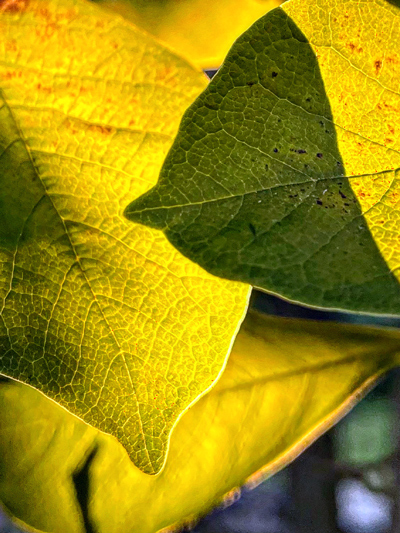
point(101, 315)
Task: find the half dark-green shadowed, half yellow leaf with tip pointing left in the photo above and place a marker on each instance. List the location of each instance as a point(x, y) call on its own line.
point(285, 171)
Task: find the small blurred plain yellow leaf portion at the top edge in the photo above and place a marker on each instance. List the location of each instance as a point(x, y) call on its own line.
point(200, 30)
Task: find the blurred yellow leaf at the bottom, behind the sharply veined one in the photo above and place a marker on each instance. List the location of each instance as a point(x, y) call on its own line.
point(286, 382)
